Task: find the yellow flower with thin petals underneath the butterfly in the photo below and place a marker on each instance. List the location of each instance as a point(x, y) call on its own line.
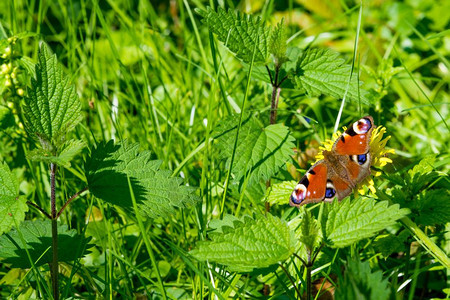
point(378, 152)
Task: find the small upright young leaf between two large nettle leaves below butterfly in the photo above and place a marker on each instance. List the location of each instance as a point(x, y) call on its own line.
point(310, 233)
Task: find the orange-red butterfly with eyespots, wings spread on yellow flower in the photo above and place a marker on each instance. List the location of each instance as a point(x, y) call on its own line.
point(342, 168)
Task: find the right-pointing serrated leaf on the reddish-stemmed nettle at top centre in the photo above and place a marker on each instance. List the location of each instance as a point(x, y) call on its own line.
point(323, 71)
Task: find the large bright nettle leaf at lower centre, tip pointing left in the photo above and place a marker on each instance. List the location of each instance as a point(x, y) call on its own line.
point(250, 243)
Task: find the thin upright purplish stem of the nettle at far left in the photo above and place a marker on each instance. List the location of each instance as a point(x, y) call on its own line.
point(54, 264)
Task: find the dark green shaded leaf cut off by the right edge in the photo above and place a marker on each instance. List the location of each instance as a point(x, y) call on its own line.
point(432, 207)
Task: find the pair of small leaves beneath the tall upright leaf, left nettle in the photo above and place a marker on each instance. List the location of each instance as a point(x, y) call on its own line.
point(69, 150)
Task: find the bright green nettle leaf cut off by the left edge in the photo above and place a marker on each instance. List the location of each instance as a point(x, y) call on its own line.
point(12, 206)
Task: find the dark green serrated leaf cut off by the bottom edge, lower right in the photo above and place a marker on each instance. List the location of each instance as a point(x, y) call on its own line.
point(361, 283)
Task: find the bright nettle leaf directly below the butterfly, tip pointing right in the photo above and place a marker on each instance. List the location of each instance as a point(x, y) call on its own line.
point(351, 221)
